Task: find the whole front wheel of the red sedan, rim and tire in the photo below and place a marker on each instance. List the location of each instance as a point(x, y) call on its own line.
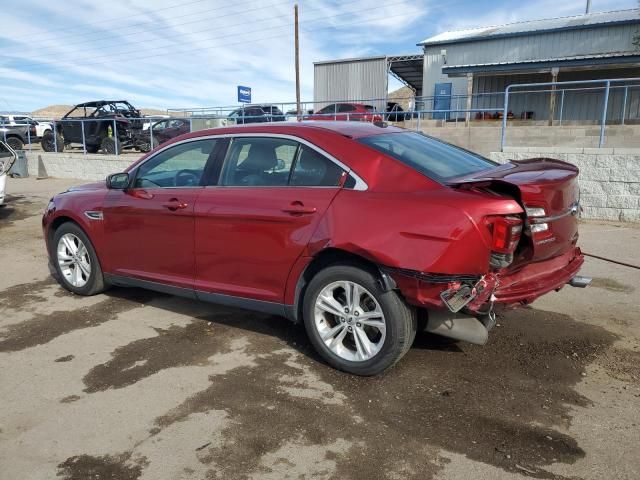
point(75, 261)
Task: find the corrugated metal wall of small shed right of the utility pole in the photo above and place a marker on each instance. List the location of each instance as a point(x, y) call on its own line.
point(351, 80)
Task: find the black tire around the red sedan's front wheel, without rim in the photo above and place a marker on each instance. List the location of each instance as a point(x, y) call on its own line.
point(95, 283)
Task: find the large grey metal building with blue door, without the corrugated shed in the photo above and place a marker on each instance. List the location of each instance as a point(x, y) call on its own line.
point(483, 61)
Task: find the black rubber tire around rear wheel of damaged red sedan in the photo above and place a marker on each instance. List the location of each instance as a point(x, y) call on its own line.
point(400, 320)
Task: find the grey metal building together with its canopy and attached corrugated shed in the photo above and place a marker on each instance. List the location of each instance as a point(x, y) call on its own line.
point(470, 69)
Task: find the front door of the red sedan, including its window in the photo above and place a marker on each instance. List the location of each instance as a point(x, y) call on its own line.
point(149, 227)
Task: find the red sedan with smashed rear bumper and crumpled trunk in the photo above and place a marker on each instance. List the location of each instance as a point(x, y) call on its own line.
point(363, 233)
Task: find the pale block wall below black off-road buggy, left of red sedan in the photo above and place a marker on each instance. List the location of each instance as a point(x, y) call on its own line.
point(77, 165)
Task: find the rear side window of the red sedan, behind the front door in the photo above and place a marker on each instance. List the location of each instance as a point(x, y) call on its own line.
point(277, 162)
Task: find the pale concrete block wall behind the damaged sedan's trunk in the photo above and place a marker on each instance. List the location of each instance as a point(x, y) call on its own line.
point(609, 177)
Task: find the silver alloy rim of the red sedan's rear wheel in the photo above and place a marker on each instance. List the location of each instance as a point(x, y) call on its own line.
point(350, 321)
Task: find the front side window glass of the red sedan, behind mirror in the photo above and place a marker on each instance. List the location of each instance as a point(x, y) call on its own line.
point(178, 166)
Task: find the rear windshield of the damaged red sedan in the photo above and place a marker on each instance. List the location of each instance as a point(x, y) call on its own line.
point(437, 160)
